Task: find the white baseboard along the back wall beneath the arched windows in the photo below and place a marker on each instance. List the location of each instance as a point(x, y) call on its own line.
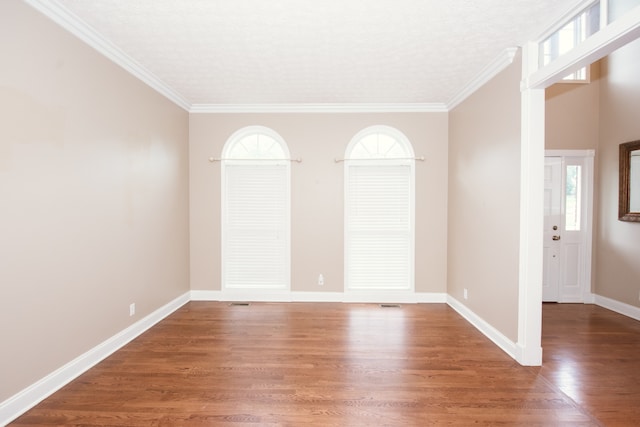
point(354, 297)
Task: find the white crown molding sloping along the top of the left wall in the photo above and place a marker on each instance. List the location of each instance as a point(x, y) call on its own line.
point(70, 22)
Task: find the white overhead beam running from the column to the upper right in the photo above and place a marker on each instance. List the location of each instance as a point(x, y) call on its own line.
point(608, 39)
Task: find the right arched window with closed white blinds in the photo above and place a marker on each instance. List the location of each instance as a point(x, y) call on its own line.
point(379, 211)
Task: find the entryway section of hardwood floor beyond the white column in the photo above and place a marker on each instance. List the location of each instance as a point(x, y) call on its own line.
point(593, 356)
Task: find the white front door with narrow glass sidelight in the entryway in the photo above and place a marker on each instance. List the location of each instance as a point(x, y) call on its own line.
point(567, 229)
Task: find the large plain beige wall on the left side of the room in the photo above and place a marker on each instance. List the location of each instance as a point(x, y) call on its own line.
point(93, 195)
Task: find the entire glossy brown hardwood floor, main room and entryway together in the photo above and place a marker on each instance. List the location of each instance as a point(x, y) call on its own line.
point(337, 364)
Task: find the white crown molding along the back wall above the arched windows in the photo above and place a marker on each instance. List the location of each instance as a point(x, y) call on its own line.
point(319, 108)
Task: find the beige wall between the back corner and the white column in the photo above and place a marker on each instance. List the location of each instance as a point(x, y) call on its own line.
point(484, 194)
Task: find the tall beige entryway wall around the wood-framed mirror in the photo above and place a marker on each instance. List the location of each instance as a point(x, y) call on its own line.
point(617, 256)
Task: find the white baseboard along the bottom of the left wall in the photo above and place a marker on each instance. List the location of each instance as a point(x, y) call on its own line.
point(26, 399)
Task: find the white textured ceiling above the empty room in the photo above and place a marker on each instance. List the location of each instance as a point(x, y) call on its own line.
point(239, 52)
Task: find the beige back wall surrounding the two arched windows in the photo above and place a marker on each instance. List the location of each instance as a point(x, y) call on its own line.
point(317, 193)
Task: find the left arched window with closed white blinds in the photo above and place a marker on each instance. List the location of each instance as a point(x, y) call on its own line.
point(255, 211)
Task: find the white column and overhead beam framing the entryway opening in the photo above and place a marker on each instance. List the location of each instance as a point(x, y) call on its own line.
point(534, 81)
